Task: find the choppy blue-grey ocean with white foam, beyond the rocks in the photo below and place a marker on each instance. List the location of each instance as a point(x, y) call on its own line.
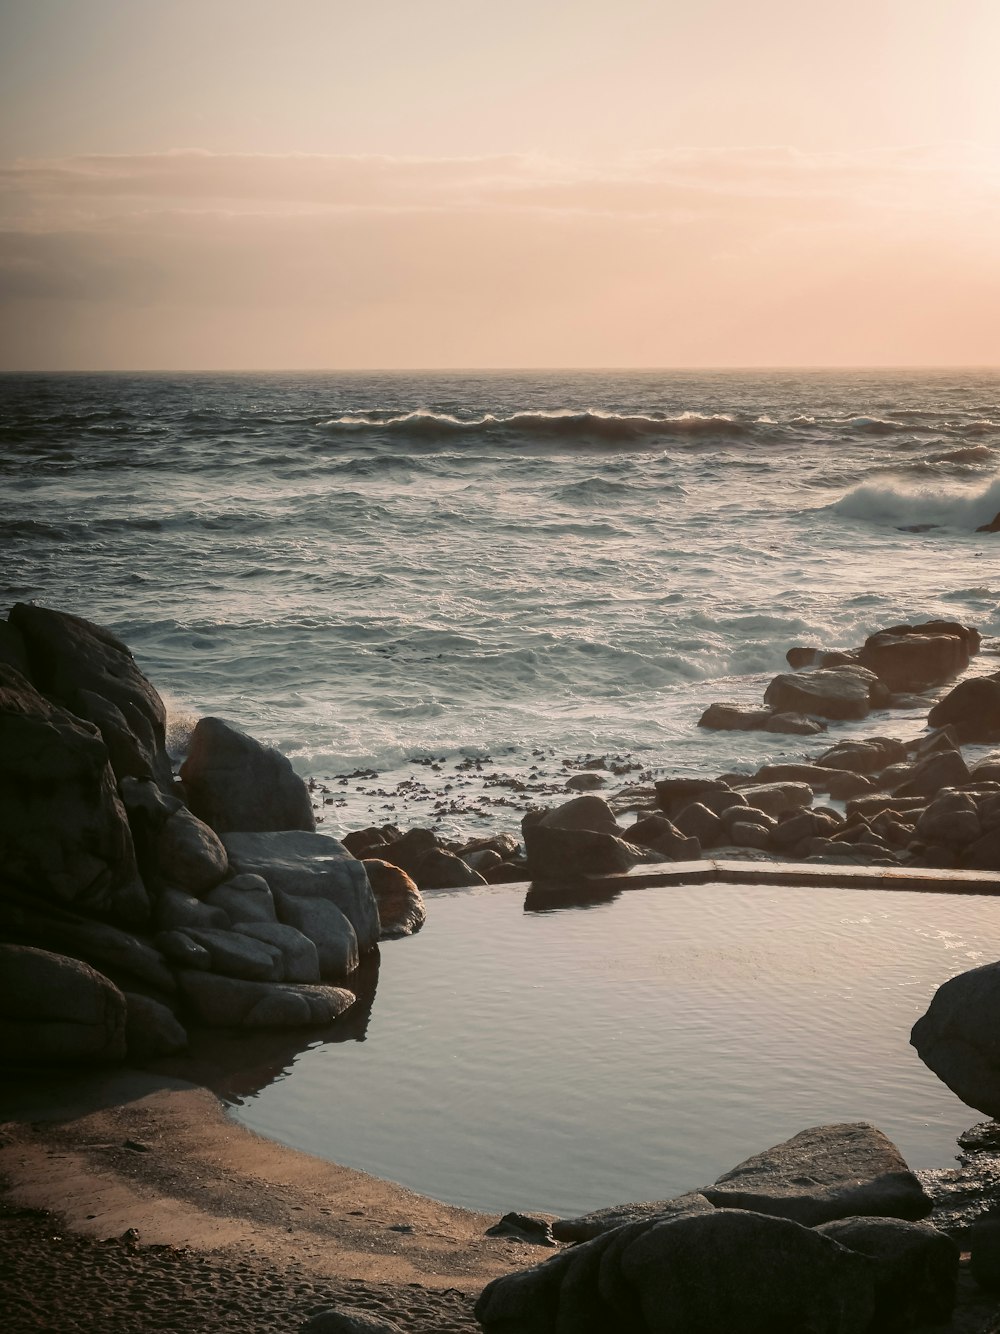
point(442, 593)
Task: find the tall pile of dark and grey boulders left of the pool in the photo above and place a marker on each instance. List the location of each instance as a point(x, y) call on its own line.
point(133, 904)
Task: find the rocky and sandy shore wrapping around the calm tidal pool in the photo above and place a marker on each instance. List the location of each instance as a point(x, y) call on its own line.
point(139, 908)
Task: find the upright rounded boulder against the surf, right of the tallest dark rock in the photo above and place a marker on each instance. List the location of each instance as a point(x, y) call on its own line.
point(234, 784)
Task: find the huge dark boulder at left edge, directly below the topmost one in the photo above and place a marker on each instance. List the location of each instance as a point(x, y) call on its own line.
point(63, 830)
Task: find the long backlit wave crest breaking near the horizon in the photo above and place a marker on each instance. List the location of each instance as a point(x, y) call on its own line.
point(562, 425)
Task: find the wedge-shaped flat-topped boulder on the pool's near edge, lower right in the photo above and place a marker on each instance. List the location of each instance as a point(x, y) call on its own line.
point(825, 1173)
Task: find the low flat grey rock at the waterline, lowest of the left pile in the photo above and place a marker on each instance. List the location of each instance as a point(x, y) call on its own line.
point(233, 1004)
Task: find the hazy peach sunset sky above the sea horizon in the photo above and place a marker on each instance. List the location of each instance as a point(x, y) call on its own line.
point(235, 185)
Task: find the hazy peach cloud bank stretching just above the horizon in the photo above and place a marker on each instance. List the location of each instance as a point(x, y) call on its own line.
point(682, 257)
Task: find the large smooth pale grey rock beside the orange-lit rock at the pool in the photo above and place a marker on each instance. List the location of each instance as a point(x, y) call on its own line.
point(309, 866)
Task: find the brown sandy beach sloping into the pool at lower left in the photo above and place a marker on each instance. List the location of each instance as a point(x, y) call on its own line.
point(143, 1207)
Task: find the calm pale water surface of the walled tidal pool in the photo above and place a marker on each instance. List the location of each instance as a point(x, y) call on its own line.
point(635, 1049)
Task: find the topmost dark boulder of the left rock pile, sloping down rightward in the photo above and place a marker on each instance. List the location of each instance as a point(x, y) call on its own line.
point(91, 673)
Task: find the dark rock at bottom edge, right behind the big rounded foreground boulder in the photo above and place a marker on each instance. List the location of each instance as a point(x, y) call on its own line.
point(918, 1269)
